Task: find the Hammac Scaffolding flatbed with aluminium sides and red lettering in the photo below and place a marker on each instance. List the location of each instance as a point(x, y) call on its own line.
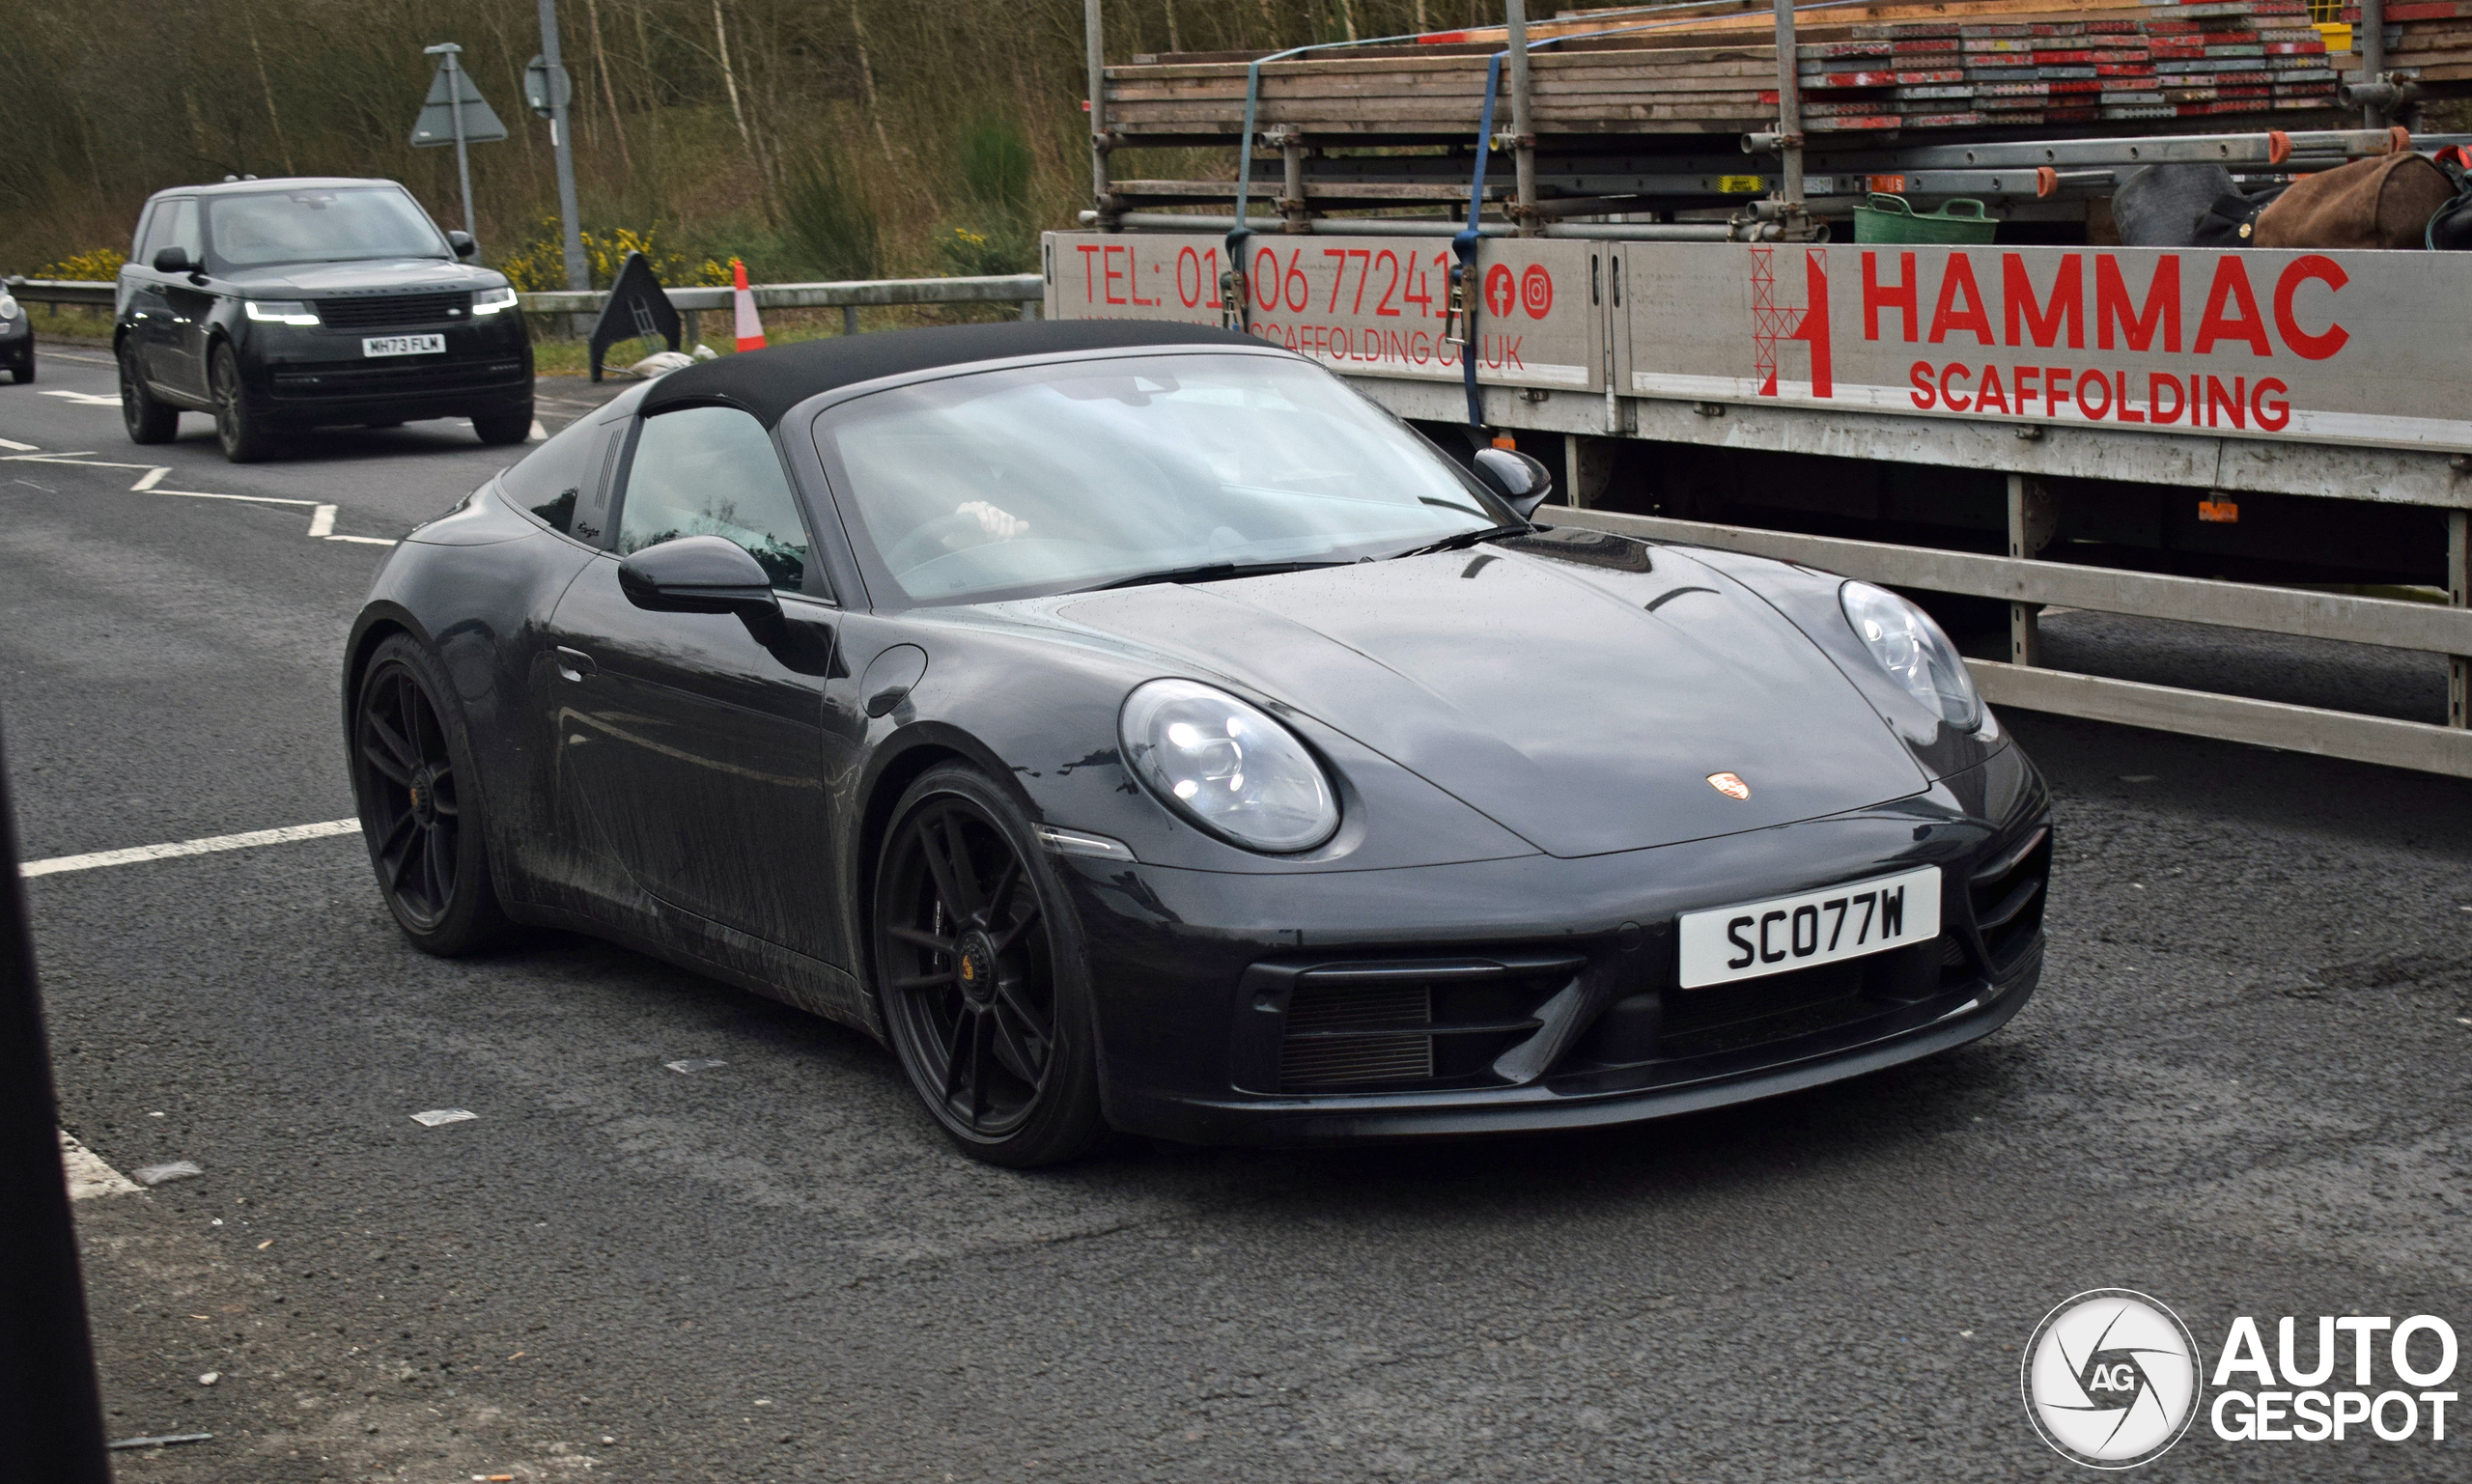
point(2216, 437)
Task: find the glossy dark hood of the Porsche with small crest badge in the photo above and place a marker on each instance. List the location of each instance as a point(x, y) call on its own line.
point(1581, 701)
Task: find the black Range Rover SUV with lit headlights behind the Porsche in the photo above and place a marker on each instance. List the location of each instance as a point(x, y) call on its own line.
point(288, 305)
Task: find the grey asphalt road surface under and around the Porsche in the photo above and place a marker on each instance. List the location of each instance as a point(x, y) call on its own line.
point(2243, 1090)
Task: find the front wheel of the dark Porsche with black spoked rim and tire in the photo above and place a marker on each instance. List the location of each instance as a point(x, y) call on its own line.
point(983, 978)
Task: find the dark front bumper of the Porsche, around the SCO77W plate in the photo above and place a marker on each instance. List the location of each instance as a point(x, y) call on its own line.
point(1541, 993)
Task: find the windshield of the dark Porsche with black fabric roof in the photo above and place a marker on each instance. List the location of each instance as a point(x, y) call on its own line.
point(1054, 479)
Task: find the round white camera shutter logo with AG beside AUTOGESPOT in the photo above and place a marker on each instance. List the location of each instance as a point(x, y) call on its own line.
point(2112, 1379)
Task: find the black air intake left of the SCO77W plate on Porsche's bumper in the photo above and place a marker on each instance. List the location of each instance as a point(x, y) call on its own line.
point(1405, 1023)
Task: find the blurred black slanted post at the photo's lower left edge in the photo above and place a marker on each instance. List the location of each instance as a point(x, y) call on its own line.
point(51, 1409)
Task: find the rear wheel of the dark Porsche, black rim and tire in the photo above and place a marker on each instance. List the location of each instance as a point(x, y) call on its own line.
point(421, 803)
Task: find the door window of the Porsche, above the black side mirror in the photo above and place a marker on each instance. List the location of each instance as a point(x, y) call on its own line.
point(713, 474)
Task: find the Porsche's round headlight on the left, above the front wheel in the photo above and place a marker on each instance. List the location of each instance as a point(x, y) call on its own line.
point(1227, 768)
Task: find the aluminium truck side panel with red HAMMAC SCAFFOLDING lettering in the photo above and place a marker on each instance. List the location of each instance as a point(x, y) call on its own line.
point(2367, 350)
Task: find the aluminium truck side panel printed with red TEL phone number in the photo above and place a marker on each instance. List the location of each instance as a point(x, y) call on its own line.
point(1358, 305)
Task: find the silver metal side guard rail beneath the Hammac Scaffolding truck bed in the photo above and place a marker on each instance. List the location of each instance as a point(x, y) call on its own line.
point(2031, 585)
